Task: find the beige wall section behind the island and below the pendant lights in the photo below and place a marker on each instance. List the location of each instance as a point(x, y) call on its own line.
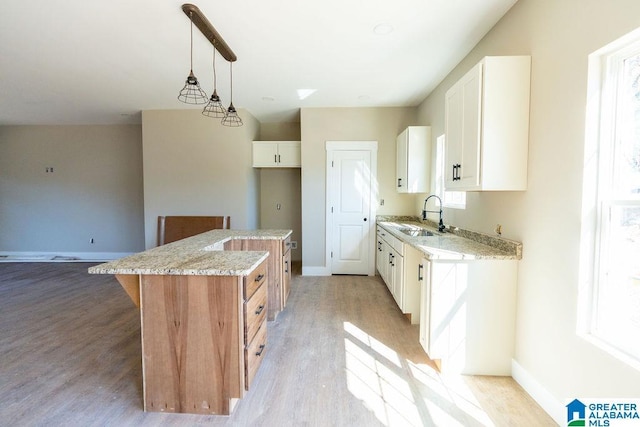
point(195, 166)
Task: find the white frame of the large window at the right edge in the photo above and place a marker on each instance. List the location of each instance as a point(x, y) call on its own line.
point(606, 67)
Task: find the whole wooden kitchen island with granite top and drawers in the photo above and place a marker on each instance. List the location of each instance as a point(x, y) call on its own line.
point(203, 313)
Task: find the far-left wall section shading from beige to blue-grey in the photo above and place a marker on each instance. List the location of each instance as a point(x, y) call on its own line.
point(95, 190)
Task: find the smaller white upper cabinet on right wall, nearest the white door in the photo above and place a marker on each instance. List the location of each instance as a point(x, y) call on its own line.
point(413, 160)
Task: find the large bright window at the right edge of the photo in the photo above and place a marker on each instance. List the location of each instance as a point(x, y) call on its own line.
point(614, 309)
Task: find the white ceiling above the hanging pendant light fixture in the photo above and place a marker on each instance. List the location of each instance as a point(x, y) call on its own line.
point(103, 61)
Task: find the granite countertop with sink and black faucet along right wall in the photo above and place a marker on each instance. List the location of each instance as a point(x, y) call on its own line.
point(456, 245)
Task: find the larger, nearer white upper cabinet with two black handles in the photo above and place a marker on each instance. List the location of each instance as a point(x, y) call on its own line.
point(487, 126)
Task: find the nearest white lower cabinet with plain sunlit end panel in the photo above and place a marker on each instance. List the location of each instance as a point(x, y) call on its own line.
point(468, 315)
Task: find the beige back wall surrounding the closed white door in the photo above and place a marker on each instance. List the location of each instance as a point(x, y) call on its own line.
point(319, 125)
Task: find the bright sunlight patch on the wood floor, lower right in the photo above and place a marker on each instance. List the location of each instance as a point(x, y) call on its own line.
point(402, 393)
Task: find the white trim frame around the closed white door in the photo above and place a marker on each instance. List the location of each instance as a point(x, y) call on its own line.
point(372, 147)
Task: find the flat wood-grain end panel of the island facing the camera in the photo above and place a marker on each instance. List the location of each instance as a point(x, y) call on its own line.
point(192, 343)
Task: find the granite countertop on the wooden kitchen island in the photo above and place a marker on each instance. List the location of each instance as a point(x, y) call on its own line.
point(202, 254)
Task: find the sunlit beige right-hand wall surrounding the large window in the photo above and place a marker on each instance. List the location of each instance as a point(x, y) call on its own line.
point(552, 361)
